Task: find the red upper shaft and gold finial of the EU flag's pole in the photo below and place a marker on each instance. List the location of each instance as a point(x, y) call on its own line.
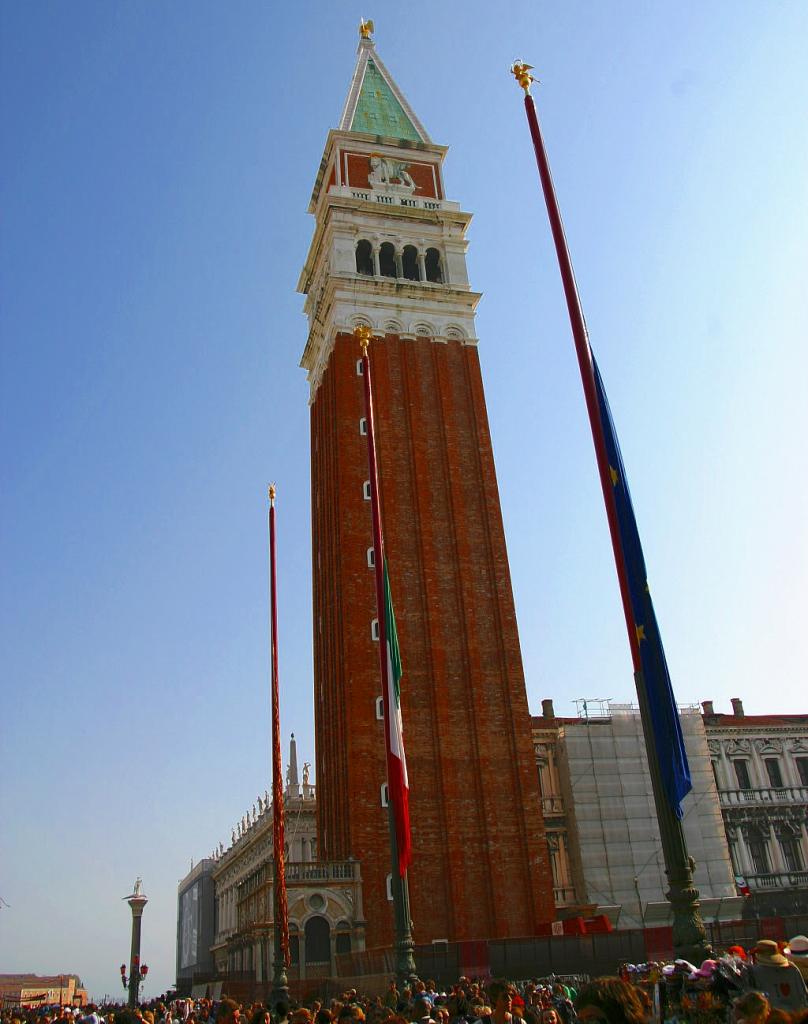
point(583, 351)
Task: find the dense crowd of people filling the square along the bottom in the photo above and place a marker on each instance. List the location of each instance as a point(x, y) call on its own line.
point(764, 986)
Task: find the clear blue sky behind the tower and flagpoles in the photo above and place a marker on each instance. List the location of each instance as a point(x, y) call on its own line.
point(158, 163)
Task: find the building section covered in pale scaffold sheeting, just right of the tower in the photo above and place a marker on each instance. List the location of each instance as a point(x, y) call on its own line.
point(603, 834)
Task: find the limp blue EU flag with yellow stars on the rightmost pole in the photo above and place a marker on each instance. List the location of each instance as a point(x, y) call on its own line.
point(665, 717)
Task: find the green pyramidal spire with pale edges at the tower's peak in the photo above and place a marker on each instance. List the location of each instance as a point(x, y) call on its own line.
point(375, 103)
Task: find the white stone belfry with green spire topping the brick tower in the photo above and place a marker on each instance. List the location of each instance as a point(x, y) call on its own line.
point(390, 249)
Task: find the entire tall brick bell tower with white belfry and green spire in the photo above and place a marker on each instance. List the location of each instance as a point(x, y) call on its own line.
point(390, 252)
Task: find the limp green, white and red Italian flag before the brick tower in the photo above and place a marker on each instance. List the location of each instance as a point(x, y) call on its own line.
point(398, 784)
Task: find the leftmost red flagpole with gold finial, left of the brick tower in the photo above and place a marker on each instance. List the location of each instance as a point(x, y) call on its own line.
point(281, 907)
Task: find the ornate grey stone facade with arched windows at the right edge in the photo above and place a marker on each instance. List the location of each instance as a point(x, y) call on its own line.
point(760, 764)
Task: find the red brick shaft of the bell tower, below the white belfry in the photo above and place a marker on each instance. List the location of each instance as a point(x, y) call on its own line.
point(480, 866)
